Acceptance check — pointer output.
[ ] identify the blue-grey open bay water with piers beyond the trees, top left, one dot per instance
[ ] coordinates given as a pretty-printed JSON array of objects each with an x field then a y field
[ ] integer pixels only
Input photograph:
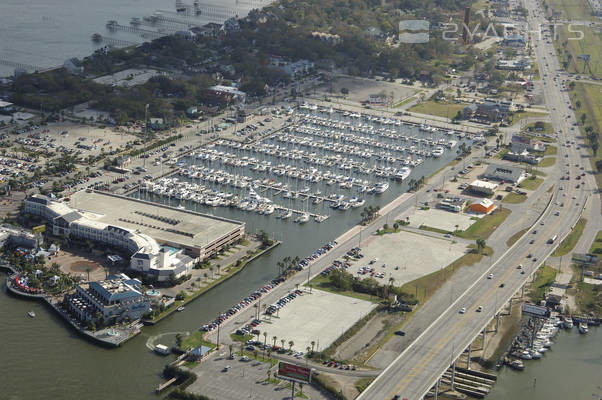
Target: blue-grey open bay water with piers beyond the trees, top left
[{"x": 45, "y": 33}]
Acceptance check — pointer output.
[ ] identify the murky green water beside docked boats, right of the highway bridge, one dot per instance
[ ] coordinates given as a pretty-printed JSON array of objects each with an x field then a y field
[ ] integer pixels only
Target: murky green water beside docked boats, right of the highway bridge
[{"x": 572, "y": 369}]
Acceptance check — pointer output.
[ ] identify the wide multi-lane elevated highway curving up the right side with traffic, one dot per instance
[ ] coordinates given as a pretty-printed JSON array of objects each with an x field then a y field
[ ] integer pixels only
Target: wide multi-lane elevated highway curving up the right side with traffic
[{"x": 419, "y": 366}]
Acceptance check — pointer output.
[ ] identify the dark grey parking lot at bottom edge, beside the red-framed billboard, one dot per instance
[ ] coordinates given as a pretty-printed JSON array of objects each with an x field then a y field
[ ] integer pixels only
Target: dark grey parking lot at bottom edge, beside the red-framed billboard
[{"x": 243, "y": 380}]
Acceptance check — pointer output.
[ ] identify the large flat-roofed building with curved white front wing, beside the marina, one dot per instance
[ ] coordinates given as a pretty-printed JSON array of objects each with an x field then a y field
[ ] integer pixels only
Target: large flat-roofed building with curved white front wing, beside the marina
[{"x": 162, "y": 241}]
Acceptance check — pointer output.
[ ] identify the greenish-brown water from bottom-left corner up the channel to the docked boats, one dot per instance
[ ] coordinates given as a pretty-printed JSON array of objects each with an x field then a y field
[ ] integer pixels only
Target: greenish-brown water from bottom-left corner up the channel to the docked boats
[{"x": 43, "y": 358}]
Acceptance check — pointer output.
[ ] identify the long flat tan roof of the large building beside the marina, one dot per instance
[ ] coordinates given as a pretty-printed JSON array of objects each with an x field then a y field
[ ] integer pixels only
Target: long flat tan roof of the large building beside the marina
[{"x": 162, "y": 223}]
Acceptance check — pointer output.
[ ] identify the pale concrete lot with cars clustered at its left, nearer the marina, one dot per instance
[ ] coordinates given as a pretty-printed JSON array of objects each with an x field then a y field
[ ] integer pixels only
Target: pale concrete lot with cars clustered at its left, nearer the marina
[{"x": 416, "y": 255}]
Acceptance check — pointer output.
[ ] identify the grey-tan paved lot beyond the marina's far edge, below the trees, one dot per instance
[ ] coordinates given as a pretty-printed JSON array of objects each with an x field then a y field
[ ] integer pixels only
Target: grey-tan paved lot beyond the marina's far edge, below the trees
[{"x": 361, "y": 89}]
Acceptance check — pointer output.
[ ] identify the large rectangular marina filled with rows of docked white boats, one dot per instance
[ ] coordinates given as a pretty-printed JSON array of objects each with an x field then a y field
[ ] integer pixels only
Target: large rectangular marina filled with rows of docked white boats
[{"x": 323, "y": 164}]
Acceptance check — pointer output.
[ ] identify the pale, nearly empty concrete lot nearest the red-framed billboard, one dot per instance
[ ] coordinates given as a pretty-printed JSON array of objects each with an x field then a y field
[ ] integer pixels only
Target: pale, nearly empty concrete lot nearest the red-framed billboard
[{"x": 320, "y": 316}]
